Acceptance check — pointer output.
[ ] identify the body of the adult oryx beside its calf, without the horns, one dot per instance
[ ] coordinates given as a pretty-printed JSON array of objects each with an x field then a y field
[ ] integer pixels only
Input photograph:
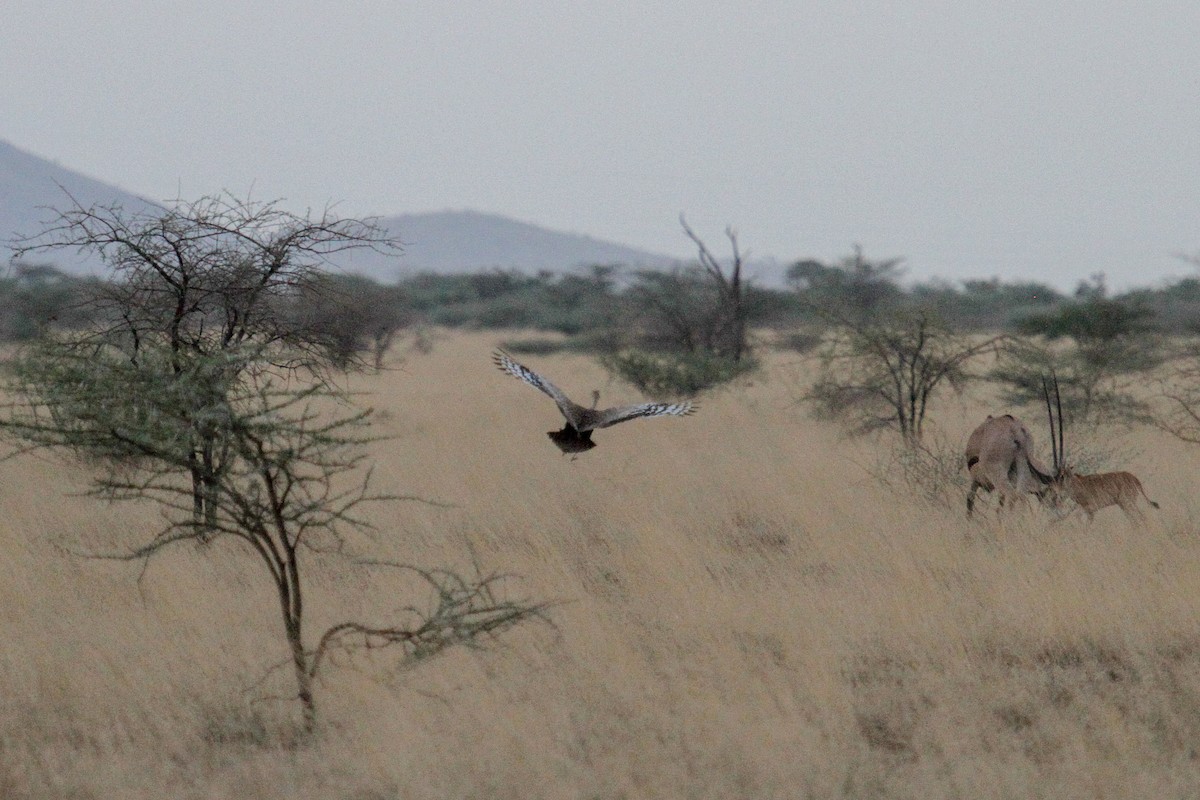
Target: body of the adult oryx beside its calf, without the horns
[{"x": 999, "y": 458}]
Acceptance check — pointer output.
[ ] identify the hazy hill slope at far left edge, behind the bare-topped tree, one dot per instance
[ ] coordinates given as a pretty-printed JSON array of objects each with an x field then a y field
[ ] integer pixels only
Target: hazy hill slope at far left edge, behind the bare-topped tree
[{"x": 31, "y": 188}]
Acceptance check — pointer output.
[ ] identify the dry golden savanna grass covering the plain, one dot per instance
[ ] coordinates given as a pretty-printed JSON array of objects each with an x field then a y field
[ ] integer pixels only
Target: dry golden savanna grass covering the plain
[{"x": 741, "y": 611}]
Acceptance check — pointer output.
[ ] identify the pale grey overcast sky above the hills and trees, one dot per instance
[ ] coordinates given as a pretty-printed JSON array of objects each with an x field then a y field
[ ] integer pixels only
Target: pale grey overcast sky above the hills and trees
[{"x": 1024, "y": 140}]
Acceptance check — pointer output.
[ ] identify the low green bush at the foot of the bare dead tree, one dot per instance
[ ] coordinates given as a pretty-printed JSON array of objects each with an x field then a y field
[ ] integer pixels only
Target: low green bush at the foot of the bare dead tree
[{"x": 669, "y": 377}]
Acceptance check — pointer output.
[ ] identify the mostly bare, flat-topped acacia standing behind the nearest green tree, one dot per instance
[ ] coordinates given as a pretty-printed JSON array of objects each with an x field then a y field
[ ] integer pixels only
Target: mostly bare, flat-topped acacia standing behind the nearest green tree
[{"x": 205, "y": 278}]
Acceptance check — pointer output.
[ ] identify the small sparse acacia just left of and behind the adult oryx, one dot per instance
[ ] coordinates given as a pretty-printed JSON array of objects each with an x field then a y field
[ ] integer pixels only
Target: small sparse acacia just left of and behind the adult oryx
[{"x": 883, "y": 375}]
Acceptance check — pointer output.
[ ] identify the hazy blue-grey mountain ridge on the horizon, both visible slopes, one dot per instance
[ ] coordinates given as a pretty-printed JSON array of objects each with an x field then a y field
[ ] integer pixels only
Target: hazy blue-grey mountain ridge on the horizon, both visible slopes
[{"x": 443, "y": 242}]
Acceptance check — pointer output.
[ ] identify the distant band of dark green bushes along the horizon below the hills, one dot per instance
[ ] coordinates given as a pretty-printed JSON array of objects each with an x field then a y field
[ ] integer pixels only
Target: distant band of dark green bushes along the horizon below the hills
[{"x": 603, "y": 309}]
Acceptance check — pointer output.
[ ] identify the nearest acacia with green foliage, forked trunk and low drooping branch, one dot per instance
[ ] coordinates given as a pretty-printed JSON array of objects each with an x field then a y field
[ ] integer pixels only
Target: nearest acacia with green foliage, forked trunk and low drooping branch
[{"x": 291, "y": 478}]
